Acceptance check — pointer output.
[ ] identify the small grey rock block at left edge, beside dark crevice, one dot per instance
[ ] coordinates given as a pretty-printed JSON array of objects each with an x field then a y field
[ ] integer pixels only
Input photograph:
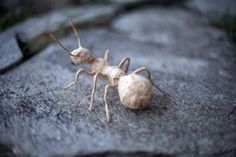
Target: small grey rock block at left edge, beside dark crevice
[{"x": 10, "y": 53}]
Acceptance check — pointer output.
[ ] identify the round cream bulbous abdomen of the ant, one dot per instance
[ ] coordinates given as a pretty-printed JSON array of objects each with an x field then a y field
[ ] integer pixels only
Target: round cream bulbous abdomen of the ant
[{"x": 135, "y": 91}]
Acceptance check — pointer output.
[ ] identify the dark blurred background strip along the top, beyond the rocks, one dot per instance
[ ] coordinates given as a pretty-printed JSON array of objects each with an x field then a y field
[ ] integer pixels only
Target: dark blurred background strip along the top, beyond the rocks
[{"x": 222, "y": 13}]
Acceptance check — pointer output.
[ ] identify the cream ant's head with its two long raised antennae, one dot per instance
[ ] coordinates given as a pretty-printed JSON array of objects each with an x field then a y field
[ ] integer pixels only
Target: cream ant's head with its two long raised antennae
[{"x": 79, "y": 55}]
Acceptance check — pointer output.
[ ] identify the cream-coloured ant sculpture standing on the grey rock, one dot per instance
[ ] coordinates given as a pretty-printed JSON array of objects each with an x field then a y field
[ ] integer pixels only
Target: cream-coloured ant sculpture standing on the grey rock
[{"x": 134, "y": 90}]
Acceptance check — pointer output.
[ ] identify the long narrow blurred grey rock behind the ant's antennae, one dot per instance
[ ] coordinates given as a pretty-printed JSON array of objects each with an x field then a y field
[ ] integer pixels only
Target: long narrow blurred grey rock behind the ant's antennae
[{"x": 34, "y": 31}]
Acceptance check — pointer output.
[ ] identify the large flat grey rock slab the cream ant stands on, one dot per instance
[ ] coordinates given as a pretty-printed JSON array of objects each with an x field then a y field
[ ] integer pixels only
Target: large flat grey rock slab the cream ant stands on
[{"x": 191, "y": 61}]
